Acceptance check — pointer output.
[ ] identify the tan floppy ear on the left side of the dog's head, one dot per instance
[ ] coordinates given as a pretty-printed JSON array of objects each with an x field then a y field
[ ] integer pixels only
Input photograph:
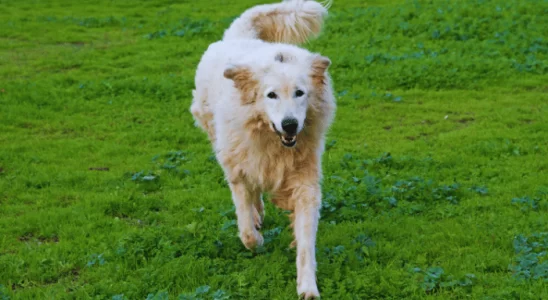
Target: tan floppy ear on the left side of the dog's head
[{"x": 244, "y": 80}]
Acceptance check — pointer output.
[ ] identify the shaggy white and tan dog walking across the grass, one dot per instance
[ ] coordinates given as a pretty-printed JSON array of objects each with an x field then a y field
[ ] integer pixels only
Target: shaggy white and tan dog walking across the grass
[{"x": 266, "y": 105}]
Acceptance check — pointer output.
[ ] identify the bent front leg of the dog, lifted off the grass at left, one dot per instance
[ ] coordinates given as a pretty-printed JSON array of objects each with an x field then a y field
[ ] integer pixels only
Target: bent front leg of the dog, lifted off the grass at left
[{"x": 244, "y": 199}]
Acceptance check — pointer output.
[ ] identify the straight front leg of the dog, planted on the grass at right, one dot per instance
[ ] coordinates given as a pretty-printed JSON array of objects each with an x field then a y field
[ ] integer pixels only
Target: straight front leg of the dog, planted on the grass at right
[{"x": 307, "y": 213}]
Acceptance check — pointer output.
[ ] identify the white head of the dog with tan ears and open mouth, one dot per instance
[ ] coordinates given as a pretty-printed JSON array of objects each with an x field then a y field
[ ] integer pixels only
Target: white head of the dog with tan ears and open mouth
[{"x": 284, "y": 88}]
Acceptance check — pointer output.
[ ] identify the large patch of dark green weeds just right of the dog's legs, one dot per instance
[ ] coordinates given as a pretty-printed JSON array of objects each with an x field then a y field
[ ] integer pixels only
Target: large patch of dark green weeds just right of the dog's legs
[{"x": 355, "y": 191}]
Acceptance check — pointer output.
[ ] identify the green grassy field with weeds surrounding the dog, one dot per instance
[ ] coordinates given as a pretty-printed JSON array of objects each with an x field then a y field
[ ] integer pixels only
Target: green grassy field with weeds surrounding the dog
[{"x": 436, "y": 183}]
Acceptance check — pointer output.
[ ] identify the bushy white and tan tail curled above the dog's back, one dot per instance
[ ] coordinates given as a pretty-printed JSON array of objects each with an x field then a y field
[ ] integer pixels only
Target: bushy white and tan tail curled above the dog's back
[{"x": 291, "y": 22}]
